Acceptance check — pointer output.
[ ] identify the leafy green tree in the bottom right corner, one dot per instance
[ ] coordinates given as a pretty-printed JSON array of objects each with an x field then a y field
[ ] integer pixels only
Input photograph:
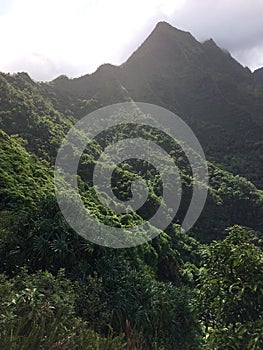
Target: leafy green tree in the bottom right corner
[{"x": 231, "y": 291}]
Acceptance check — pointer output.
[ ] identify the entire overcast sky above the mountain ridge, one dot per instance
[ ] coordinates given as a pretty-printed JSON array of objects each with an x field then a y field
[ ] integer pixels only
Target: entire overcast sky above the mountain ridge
[{"x": 48, "y": 38}]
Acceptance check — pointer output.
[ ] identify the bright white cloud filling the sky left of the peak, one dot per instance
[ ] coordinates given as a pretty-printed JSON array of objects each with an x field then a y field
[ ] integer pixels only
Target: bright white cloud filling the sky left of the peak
[{"x": 62, "y": 34}]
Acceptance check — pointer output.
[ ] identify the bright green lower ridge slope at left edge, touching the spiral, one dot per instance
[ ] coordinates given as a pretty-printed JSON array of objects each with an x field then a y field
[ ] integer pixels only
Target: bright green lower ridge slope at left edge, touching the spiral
[{"x": 24, "y": 180}]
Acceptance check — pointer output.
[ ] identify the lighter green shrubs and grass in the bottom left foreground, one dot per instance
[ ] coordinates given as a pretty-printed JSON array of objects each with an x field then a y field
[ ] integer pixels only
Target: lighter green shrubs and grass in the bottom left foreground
[{"x": 40, "y": 311}]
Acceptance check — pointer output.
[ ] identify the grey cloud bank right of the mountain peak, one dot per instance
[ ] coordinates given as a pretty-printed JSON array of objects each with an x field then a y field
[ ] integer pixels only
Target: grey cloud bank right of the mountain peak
[{"x": 235, "y": 25}]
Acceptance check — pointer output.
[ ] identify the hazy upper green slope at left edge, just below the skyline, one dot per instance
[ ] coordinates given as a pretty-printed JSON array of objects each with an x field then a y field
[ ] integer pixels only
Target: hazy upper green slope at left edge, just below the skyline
[{"x": 25, "y": 112}]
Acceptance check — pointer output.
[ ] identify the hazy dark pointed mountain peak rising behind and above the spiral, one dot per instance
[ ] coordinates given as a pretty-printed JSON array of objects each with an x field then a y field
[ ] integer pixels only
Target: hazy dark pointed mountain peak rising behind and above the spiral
[{"x": 216, "y": 96}]
